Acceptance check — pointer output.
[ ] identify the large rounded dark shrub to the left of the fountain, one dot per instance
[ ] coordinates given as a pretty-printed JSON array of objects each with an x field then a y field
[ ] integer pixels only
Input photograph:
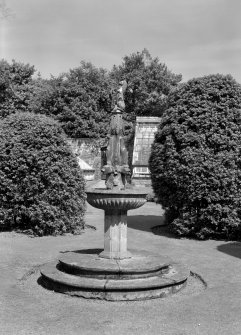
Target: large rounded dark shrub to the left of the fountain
[{"x": 41, "y": 185}]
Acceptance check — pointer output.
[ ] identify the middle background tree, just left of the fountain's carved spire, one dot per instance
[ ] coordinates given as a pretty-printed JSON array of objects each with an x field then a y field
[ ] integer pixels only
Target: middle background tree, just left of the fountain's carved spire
[{"x": 77, "y": 100}]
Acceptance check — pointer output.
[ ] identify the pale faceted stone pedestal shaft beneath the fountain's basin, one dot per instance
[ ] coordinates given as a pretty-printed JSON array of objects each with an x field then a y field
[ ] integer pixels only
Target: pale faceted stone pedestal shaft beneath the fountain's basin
[{"x": 115, "y": 238}]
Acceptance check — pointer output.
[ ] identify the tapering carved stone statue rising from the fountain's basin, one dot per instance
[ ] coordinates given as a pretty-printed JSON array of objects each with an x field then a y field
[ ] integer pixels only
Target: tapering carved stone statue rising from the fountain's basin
[{"x": 116, "y": 168}]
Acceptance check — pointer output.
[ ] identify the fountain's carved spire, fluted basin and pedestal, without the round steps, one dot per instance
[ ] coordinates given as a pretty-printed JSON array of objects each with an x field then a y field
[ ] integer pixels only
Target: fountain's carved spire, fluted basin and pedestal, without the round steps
[{"x": 117, "y": 198}]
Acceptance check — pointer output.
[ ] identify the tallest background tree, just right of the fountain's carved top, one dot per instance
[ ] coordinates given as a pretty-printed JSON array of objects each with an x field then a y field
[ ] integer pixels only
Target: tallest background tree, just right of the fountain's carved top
[{"x": 149, "y": 82}]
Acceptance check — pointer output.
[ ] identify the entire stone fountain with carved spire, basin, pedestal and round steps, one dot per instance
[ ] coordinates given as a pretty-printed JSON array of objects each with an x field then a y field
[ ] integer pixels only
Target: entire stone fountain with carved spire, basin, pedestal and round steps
[{"x": 115, "y": 273}]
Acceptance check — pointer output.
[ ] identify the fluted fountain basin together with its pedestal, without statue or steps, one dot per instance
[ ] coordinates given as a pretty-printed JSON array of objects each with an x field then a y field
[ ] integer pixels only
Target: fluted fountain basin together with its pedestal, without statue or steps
[{"x": 116, "y": 204}]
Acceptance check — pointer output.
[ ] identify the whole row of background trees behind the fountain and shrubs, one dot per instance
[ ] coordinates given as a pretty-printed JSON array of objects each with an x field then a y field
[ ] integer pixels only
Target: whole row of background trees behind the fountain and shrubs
[{"x": 81, "y": 99}]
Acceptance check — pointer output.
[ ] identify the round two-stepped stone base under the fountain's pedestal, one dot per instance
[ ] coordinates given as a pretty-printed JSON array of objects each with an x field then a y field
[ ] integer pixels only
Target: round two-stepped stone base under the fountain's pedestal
[{"x": 144, "y": 276}]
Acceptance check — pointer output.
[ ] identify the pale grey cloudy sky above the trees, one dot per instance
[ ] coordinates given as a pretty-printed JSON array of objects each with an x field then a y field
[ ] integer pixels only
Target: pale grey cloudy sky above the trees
[{"x": 192, "y": 37}]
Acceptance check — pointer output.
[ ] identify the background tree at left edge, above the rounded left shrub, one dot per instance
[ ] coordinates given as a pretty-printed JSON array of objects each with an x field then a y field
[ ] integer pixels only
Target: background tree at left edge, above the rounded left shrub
[{"x": 15, "y": 87}]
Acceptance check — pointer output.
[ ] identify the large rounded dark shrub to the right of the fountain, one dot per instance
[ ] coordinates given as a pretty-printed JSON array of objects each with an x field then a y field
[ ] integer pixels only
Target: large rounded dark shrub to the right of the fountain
[{"x": 196, "y": 159}]
